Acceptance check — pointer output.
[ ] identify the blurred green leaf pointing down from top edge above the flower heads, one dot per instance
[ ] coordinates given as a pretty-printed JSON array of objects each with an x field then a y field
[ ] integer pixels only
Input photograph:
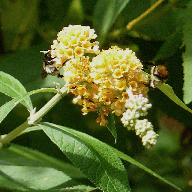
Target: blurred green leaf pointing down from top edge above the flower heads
[{"x": 105, "y": 14}]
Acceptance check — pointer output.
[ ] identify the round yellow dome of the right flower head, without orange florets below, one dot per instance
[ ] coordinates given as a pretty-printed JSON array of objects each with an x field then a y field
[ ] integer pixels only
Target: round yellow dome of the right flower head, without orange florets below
[{"x": 118, "y": 69}]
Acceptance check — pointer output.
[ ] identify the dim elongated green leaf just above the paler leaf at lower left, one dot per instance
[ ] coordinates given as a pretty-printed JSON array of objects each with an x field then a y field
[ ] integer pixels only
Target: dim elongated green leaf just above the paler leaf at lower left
[{"x": 23, "y": 156}]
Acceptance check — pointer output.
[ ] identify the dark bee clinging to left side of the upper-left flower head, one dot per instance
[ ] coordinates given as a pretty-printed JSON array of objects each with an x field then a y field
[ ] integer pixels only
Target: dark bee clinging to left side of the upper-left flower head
[{"x": 48, "y": 67}]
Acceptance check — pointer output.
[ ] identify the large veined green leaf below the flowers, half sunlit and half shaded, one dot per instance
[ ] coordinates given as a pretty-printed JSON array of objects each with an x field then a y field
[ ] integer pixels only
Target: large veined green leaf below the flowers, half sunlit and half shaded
[{"x": 91, "y": 156}]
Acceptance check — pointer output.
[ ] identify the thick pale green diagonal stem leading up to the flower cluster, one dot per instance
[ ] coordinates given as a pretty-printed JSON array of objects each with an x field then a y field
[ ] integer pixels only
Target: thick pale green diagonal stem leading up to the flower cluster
[{"x": 33, "y": 119}]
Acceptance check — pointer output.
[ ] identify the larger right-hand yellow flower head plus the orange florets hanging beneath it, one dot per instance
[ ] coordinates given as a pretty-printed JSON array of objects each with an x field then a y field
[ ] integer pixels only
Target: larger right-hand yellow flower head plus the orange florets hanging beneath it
[{"x": 114, "y": 70}]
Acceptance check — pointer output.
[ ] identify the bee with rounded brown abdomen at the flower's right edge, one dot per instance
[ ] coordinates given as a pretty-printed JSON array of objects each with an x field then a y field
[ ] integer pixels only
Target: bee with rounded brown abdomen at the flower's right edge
[{"x": 159, "y": 74}]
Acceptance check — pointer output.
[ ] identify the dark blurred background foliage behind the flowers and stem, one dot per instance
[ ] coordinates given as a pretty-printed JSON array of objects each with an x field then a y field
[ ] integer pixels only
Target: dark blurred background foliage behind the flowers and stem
[{"x": 163, "y": 36}]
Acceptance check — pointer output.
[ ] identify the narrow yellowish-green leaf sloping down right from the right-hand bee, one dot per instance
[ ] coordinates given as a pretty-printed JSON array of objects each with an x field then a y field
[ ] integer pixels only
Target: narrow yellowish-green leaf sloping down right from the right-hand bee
[{"x": 169, "y": 92}]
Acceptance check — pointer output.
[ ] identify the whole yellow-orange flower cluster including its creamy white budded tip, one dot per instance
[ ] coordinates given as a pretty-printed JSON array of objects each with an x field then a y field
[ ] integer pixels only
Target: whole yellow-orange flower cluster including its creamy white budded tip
[{"x": 107, "y": 81}]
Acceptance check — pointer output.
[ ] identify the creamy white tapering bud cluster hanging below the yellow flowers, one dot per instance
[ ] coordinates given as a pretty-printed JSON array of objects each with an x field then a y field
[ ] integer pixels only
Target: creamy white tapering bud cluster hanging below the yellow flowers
[{"x": 136, "y": 107}]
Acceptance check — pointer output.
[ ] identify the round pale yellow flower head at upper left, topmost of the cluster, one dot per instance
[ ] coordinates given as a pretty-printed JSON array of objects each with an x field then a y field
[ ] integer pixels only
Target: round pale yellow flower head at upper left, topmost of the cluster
[{"x": 72, "y": 42}]
